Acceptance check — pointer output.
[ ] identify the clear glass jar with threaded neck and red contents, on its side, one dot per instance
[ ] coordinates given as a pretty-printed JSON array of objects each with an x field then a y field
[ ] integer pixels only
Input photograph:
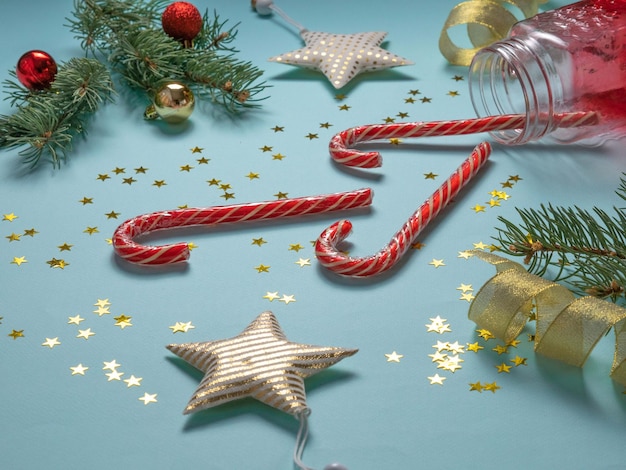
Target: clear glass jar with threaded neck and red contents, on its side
[{"x": 572, "y": 59}]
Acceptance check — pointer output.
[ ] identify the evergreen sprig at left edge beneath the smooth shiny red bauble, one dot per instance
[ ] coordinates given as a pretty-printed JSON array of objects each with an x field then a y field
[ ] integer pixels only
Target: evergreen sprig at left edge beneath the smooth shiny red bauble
[{"x": 47, "y": 122}]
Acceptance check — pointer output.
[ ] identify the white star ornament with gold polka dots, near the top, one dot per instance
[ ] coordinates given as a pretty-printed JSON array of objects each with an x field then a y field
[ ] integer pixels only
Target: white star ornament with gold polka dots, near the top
[{"x": 341, "y": 57}]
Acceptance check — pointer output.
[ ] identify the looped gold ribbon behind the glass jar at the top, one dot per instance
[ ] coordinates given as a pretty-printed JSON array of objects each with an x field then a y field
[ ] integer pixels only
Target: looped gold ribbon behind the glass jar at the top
[{"x": 487, "y": 21}]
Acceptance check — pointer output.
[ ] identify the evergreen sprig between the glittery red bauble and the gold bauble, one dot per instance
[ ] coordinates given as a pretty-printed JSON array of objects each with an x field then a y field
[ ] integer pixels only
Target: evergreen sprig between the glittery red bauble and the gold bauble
[{"x": 129, "y": 34}]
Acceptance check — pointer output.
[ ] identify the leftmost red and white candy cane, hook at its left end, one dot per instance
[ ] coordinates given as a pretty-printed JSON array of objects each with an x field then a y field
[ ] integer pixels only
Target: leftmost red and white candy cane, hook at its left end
[{"x": 125, "y": 246}]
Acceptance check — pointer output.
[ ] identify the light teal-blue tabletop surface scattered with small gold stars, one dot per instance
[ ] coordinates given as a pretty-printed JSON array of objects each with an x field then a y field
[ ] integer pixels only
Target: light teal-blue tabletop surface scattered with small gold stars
[{"x": 367, "y": 413}]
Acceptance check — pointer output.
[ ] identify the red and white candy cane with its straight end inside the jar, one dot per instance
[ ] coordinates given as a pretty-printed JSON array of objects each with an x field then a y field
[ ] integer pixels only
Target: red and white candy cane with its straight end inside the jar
[{"x": 339, "y": 144}]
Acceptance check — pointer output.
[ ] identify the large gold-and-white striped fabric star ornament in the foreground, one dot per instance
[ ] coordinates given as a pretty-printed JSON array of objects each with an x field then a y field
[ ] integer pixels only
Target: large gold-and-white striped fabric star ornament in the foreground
[{"x": 260, "y": 363}]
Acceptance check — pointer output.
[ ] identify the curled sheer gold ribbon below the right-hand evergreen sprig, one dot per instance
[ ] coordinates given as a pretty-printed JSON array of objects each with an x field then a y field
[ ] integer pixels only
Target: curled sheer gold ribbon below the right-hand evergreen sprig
[{"x": 567, "y": 328}]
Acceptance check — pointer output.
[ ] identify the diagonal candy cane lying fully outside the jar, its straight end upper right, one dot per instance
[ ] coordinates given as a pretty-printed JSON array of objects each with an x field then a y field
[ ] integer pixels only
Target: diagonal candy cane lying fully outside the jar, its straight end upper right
[{"x": 326, "y": 245}]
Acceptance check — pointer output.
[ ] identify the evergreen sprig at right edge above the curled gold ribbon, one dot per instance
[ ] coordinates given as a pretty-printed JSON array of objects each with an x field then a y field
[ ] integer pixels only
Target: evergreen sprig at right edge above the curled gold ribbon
[{"x": 584, "y": 249}]
